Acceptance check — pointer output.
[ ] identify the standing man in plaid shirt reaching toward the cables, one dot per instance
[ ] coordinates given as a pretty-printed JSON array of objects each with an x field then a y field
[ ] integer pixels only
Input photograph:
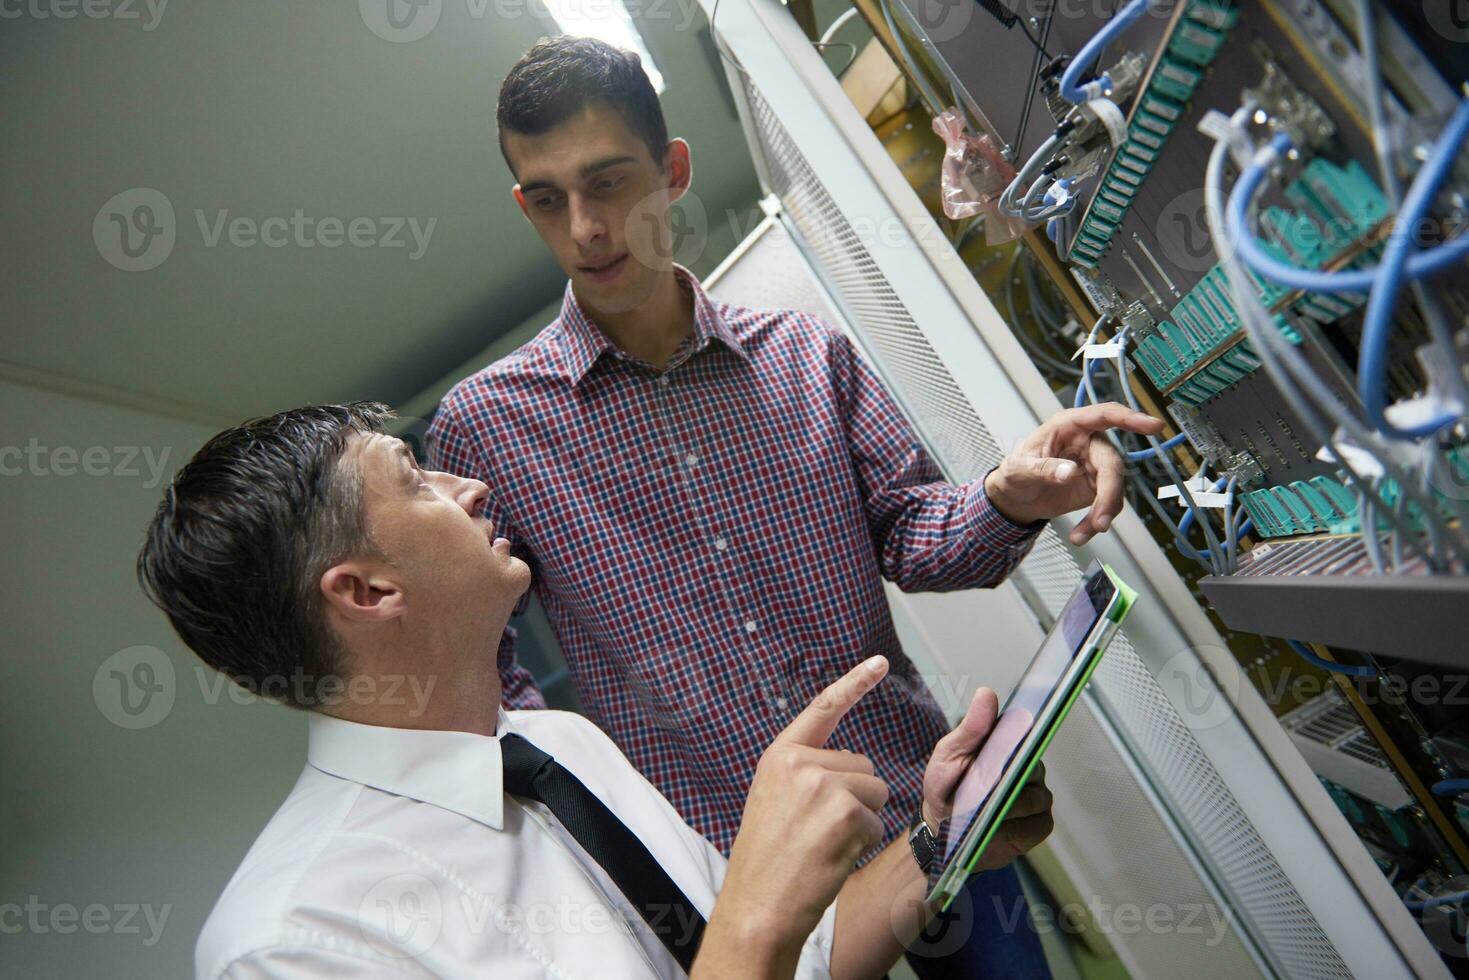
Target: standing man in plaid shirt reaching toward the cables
[{"x": 710, "y": 496}]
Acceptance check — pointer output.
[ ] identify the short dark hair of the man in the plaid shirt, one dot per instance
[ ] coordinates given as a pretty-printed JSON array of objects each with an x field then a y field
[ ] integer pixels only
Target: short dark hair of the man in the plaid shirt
[{"x": 562, "y": 76}]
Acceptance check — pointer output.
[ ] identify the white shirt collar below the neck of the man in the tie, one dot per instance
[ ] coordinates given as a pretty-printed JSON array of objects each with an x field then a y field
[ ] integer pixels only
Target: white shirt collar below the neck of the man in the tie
[{"x": 453, "y": 771}]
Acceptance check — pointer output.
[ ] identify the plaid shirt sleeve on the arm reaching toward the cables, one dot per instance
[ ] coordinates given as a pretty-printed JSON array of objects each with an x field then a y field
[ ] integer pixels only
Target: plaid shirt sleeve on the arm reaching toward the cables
[{"x": 931, "y": 536}]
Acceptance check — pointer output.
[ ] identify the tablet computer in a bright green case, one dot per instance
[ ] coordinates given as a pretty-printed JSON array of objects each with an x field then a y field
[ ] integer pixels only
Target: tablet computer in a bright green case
[{"x": 1028, "y": 721}]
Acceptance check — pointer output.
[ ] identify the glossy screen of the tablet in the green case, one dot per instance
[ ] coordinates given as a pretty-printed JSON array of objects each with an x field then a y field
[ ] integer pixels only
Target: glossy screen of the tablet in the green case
[{"x": 1025, "y": 706}]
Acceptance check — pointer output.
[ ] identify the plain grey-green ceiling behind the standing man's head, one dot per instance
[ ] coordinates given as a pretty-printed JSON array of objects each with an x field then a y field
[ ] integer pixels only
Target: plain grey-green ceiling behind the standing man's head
[{"x": 259, "y": 108}]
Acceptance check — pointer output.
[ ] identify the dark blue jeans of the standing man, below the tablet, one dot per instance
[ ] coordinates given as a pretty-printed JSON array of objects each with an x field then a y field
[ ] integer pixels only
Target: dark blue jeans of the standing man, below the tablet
[{"x": 986, "y": 935}]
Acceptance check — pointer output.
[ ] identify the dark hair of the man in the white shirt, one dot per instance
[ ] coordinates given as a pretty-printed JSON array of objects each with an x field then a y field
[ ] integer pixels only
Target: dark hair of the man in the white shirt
[{"x": 246, "y": 530}]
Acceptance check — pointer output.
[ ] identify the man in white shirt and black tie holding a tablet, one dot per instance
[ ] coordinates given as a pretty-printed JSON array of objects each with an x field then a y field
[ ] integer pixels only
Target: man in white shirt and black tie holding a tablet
[{"x": 438, "y": 835}]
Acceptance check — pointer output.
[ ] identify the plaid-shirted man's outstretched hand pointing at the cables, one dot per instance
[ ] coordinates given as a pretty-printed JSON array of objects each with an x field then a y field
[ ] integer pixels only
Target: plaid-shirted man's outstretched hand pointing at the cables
[{"x": 1066, "y": 465}]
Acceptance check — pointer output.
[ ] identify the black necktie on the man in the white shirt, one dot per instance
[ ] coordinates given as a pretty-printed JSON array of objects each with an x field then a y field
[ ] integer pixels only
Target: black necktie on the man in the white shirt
[{"x": 665, "y": 907}]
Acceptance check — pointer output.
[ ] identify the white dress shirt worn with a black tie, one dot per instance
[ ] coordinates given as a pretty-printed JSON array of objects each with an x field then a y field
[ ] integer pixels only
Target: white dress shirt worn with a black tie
[{"x": 400, "y": 854}]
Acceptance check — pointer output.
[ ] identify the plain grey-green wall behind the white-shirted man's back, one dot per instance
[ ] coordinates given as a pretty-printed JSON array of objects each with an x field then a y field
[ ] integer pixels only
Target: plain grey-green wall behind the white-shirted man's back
[{"x": 93, "y": 813}]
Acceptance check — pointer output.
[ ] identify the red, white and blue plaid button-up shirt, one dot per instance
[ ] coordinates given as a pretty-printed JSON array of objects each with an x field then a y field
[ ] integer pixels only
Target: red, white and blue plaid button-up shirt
[{"x": 710, "y": 541}]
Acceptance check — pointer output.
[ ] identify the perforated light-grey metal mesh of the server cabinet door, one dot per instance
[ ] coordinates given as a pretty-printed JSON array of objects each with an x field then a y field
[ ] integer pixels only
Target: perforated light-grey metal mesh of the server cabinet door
[{"x": 1197, "y": 803}]
